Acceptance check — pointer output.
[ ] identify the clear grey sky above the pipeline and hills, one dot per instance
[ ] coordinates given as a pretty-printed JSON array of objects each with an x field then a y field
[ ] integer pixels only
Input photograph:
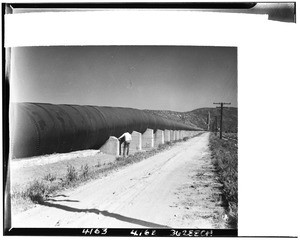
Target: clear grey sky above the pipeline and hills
[{"x": 173, "y": 78}]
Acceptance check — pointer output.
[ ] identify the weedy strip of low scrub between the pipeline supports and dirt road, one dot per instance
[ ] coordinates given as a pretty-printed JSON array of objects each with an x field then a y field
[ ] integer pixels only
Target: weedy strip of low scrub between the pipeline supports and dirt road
[{"x": 39, "y": 190}]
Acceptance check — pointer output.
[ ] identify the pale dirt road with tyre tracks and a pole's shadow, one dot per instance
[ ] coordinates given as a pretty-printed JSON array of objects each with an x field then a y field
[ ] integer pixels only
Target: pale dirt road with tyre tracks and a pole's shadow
[{"x": 176, "y": 188}]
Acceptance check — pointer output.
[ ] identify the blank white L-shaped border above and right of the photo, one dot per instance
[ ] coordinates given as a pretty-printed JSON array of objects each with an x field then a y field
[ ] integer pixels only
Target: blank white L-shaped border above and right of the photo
[{"x": 268, "y": 87}]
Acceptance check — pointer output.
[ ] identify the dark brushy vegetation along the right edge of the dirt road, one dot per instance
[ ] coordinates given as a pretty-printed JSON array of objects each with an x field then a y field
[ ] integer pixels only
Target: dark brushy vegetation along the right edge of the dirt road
[{"x": 225, "y": 159}]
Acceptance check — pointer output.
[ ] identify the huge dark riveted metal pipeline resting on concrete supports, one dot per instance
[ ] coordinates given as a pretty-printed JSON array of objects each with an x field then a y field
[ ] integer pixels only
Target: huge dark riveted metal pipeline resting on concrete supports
[{"x": 42, "y": 128}]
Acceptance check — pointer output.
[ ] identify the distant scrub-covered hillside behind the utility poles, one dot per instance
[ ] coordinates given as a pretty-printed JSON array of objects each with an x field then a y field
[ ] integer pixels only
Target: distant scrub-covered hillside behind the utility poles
[{"x": 199, "y": 117}]
